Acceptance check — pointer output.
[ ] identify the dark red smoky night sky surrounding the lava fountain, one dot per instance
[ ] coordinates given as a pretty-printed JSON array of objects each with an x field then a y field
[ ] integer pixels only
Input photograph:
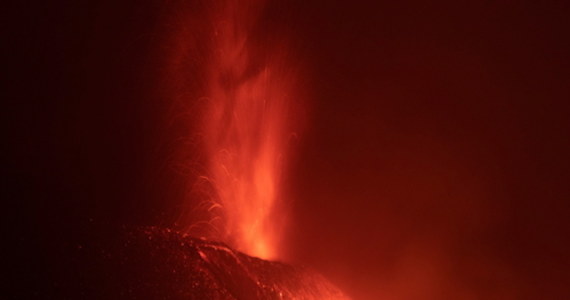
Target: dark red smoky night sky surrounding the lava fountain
[{"x": 434, "y": 164}]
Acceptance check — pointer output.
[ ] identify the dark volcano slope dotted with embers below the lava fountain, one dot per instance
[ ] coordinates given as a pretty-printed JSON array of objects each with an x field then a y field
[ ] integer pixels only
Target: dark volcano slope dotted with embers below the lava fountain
[{"x": 166, "y": 264}]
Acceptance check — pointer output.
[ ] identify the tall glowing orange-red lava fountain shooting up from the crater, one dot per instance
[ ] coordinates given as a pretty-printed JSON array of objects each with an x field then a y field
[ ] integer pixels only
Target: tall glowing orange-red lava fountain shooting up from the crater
[{"x": 247, "y": 126}]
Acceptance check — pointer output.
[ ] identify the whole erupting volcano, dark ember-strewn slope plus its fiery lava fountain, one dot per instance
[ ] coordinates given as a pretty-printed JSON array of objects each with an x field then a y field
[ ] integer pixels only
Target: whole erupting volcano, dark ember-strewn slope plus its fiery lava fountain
[{"x": 248, "y": 114}]
